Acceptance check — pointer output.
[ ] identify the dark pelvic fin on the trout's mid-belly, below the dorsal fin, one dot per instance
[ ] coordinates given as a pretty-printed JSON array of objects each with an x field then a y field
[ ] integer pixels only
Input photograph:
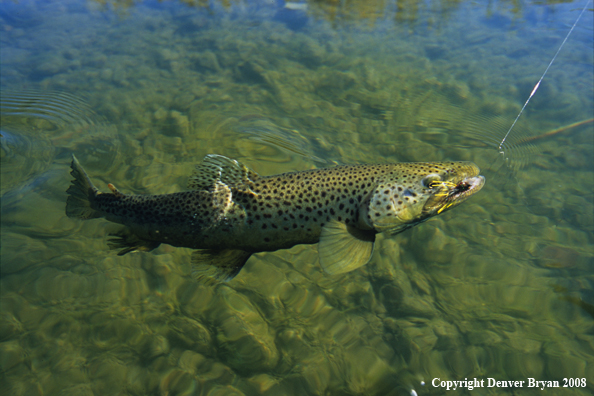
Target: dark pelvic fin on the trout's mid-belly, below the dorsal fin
[{"x": 221, "y": 265}]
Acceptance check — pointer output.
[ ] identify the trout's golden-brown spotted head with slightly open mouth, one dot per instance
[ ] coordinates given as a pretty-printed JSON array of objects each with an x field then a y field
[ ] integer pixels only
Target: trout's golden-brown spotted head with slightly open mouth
[{"x": 410, "y": 193}]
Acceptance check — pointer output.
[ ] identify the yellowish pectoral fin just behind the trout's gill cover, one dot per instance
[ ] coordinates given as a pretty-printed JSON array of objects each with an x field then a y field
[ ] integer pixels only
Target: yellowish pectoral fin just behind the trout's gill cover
[{"x": 343, "y": 248}]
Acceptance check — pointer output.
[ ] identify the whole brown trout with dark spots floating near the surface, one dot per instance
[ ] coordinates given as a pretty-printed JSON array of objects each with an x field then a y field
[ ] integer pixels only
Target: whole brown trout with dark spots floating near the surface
[{"x": 231, "y": 212}]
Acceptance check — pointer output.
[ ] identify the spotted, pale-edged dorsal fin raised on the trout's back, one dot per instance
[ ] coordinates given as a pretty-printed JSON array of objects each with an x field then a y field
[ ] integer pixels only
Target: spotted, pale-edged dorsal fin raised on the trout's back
[{"x": 219, "y": 168}]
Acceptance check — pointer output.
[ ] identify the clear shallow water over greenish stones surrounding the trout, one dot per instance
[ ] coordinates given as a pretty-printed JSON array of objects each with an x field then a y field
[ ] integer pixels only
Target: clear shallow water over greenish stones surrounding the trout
[{"x": 500, "y": 287}]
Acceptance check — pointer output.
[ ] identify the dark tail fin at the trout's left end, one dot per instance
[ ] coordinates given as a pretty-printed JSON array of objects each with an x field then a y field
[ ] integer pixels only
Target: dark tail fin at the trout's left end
[{"x": 81, "y": 194}]
